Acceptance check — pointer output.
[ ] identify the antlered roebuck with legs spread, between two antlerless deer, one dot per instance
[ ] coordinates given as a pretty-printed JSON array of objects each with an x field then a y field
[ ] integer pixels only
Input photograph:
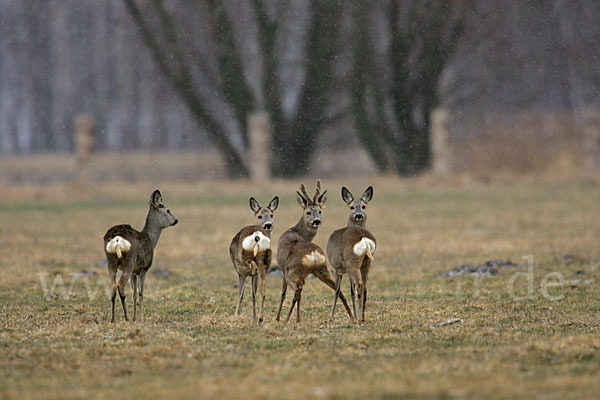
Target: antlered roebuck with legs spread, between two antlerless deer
[{"x": 298, "y": 257}]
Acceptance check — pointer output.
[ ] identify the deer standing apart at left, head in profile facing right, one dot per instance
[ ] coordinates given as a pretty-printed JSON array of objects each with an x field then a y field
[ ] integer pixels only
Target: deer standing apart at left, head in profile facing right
[{"x": 132, "y": 251}]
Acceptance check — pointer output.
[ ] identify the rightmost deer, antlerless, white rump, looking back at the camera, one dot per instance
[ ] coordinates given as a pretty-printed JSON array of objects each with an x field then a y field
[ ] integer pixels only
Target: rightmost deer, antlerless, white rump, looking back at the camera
[{"x": 350, "y": 250}]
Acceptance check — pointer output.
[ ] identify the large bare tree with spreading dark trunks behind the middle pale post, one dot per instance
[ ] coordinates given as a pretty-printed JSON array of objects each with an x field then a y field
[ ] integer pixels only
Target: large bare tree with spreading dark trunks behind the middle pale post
[{"x": 234, "y": 66}]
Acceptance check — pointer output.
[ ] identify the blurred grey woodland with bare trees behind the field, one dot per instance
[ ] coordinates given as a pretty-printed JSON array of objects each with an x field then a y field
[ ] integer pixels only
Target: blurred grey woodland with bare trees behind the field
[{"x": 183, "y": 74}]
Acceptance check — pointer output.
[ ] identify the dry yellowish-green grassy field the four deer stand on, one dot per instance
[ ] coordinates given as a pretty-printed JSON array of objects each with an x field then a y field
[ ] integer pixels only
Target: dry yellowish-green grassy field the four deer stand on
[{"x": 59, "y": 344}]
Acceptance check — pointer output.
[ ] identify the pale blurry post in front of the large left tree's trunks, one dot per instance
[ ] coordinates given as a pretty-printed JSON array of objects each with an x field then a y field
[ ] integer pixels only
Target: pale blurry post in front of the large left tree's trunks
[{"x": 259, "y": 134}]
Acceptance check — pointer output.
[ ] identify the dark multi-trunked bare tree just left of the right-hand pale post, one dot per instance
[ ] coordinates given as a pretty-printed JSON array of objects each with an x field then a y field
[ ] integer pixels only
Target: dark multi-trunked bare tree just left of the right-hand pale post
[{"x": 394, "y": 87}]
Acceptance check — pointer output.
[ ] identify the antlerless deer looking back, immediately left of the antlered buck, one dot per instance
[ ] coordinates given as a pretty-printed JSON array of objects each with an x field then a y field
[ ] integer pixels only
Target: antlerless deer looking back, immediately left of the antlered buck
[{"x": 250, "y": 252}]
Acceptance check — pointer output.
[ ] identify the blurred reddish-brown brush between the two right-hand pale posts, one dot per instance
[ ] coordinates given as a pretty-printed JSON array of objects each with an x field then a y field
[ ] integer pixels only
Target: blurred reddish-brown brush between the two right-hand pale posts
[{"x": 528, "y": 142}]
